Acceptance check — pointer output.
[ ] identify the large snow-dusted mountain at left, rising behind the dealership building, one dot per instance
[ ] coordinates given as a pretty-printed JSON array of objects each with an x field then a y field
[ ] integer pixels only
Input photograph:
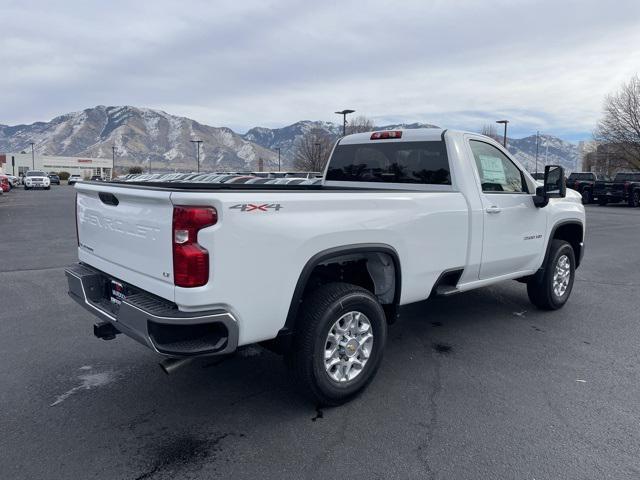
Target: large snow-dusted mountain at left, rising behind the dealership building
[{"x": 140, "y": 135}]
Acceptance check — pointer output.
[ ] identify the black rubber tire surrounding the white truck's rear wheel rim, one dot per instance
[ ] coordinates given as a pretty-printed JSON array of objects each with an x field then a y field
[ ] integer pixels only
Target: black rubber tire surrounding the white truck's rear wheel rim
[{"x": 320, "y": 311}]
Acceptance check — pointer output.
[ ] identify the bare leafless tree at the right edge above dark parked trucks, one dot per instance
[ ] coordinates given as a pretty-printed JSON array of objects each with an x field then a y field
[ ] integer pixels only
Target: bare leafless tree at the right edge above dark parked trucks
[{"x": 620, "y": 125}]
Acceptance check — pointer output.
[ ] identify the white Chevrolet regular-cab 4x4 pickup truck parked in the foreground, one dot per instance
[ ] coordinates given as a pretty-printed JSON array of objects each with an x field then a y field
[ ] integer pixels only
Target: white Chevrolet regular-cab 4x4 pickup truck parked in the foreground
[{"x": 317, "y": 272}]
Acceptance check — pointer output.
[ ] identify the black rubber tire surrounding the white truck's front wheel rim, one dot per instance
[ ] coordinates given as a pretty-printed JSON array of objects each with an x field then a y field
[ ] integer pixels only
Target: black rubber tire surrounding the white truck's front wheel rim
[{"x": 540, "y": 290}]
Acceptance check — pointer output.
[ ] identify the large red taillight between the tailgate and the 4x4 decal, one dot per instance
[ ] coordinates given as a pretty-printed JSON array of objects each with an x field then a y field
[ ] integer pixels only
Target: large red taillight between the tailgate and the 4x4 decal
[{"x": 190, "y": 260}]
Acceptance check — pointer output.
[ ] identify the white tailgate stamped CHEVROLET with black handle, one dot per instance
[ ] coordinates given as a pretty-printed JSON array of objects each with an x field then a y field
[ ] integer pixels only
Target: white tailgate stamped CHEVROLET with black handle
[{"x": 126, "y": 232}]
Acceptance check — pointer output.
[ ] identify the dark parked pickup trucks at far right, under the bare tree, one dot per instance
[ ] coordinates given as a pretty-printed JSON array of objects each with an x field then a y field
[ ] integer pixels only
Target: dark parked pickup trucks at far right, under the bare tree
[{"x": 625, "y": 187}]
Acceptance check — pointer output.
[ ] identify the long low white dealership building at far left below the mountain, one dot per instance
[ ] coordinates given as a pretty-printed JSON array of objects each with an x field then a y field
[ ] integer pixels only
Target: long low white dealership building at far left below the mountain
[{"x": 19, "y": 163}]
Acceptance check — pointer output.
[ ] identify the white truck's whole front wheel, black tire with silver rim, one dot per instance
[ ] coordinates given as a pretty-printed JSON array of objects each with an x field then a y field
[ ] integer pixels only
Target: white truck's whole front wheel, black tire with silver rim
[{"x": 552, "y": 290}]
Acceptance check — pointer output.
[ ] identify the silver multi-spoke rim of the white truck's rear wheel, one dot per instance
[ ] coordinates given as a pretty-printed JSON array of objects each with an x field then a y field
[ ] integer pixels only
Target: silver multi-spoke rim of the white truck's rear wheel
[{"x": 348, "y": 346}]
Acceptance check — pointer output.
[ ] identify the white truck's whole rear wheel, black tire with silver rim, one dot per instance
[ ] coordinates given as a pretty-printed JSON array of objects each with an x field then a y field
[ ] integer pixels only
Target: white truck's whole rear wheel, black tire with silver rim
[{"x": 338, "y": 343}]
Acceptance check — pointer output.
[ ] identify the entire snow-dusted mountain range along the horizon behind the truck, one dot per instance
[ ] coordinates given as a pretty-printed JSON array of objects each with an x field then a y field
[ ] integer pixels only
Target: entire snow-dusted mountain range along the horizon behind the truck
[{"x": 156, "y": 139}]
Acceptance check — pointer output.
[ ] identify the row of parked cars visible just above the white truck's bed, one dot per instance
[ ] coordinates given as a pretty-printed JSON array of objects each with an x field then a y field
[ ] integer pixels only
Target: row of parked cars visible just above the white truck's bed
[{"x": 279, "y": 178}]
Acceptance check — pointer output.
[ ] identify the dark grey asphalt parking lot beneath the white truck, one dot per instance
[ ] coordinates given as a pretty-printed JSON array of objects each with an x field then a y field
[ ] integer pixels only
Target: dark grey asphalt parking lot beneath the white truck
[{"x": 475, "y": 386}]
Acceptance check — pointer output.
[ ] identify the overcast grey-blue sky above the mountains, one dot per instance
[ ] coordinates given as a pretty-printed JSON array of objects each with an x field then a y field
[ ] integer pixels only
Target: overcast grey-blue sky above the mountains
[{"x": 460, "y": 64}]
